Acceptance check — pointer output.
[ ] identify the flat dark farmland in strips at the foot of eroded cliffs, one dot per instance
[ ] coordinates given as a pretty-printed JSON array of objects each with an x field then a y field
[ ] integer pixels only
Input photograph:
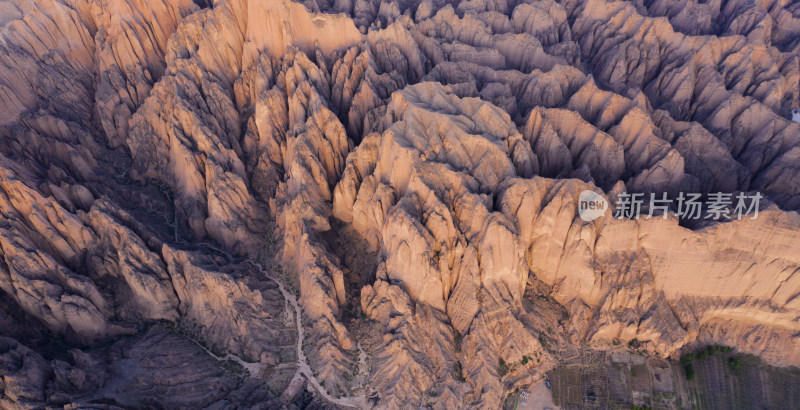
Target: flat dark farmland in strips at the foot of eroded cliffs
[{"x": 620, "y": 380}]
